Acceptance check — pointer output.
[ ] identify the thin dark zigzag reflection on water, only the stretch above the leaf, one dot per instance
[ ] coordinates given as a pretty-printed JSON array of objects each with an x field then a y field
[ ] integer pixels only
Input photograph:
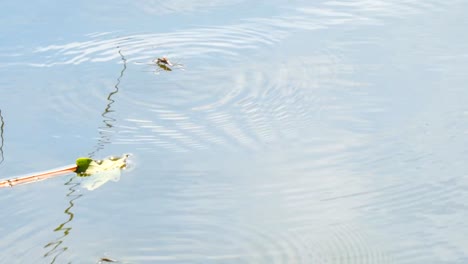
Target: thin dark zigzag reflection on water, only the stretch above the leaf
[{"x": 104, "y": 135}]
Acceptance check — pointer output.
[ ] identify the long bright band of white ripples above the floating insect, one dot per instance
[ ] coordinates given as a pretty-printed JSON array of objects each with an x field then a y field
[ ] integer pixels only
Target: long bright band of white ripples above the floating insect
[{"x": 229, "y": 41}]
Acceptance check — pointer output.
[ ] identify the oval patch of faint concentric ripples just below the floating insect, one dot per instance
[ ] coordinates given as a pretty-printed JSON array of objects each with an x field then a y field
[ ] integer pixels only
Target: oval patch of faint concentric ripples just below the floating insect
[{"x": 246, "y": 111}]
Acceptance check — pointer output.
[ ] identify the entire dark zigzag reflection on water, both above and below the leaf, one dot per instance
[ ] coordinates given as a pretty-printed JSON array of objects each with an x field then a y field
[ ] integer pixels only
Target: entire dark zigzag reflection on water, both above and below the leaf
[{"x": 56, "y": 247}]
